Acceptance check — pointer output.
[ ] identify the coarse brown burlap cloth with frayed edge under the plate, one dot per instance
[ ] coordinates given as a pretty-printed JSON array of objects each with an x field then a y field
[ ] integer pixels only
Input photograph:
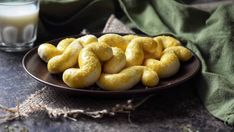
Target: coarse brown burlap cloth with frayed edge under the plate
[{"x": 58, "y": 104}]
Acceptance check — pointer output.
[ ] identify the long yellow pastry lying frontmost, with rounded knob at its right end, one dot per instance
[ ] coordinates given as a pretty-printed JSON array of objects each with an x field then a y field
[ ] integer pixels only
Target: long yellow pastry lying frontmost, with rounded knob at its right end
[{"x": 127, "y": 78}]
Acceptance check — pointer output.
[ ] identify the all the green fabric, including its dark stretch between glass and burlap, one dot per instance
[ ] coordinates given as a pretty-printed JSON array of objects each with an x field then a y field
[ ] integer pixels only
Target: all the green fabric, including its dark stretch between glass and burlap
[{"x": 209, "y": 34}]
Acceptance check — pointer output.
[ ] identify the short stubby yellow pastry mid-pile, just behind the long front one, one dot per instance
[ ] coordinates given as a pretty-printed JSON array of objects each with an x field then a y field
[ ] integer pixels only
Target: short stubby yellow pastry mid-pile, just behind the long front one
[{"x": 116, "y": 63}]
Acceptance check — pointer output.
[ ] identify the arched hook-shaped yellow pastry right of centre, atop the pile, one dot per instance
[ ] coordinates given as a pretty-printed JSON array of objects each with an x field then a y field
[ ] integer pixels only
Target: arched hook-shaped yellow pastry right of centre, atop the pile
[{"x": 138, "y": 47}]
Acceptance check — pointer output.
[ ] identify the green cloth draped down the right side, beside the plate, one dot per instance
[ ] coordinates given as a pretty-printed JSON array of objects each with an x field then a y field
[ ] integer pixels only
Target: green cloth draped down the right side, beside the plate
[{"x": 209, "y": 34}]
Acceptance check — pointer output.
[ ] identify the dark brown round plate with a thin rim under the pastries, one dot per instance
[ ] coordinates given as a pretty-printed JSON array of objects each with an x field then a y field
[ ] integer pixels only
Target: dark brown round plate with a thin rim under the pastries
[{"x": 37, "y": 69}]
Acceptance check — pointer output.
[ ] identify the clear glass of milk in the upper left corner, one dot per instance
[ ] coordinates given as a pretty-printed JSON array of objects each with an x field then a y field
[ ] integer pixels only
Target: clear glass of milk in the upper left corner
[{"x": 18, "y": 24}]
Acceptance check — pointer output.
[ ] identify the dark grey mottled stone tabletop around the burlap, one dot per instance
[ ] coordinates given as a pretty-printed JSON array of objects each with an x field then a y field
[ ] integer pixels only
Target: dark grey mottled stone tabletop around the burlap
[{"x": 174, "y": 110}]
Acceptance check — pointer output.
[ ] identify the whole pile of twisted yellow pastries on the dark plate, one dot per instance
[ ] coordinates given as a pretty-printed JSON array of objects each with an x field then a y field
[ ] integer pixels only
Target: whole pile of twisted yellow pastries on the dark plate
[{"x": 114, "y": 62}]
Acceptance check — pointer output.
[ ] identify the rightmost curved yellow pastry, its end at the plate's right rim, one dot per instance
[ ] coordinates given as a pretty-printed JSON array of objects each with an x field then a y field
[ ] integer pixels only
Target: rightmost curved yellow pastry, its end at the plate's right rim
[{"x": 182, "y": 53}]
